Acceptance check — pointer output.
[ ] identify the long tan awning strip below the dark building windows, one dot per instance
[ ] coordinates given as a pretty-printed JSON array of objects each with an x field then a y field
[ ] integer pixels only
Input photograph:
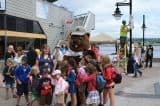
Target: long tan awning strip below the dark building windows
[{"x": 22, "y": 34}]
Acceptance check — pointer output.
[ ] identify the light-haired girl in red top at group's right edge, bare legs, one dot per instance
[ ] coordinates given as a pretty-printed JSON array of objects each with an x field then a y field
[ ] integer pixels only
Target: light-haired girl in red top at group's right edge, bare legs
[{"x": 107, "y": 73}]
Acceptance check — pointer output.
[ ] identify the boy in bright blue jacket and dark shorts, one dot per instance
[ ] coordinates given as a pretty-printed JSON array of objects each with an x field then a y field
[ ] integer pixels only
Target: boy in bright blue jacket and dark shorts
[{"x": 22, "y": 76}]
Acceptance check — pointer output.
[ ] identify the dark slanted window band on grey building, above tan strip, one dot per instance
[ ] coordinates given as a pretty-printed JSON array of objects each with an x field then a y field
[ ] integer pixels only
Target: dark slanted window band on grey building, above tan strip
[{"x": 20, "y": 24}]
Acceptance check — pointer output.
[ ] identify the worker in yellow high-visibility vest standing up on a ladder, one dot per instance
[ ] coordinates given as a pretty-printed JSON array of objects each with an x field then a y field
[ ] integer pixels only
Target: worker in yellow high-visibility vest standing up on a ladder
[{"x": 123, "y": 33}]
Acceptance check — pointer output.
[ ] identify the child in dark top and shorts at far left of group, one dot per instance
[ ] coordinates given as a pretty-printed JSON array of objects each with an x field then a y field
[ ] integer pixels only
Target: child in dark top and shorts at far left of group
[{"x": 9, "y": 78}]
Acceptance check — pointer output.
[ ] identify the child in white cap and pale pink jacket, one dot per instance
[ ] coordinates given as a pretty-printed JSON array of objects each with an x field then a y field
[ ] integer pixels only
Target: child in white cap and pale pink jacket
[{"x": 61, "y": 87}]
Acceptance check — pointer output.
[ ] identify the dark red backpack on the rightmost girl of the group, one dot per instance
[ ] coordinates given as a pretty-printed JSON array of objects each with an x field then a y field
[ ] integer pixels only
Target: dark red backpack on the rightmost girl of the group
[{"x": 117, "y": 76}]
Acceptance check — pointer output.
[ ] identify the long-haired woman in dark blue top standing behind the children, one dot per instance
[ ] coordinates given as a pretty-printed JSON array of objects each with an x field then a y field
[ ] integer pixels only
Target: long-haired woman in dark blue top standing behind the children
[{"x": 46, "y": 59}]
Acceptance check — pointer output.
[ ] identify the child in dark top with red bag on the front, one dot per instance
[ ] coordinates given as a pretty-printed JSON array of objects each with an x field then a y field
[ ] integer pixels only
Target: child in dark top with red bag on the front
[{"x": 45, "y": 88}]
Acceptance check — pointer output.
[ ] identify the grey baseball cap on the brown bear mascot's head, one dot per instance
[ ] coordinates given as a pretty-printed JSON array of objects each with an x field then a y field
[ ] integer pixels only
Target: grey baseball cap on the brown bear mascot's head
[{"x": 79, "y": 30}]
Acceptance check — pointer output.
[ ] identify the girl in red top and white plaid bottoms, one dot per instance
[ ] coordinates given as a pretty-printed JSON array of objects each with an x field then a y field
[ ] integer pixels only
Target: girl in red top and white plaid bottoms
[{"x": 93, "y": 98}]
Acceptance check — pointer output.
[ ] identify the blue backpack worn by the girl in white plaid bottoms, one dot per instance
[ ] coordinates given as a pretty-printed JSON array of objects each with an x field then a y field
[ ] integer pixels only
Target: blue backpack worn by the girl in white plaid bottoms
[{"x": 100, "y": 82}]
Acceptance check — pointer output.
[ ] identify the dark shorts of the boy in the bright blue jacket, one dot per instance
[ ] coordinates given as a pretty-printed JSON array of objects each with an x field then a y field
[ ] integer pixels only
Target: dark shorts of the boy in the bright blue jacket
[{"x": 22, "y": 88}]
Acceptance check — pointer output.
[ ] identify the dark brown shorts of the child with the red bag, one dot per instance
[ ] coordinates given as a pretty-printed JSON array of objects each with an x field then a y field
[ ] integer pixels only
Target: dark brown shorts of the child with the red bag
[{"x": 46, "y": 99}]
